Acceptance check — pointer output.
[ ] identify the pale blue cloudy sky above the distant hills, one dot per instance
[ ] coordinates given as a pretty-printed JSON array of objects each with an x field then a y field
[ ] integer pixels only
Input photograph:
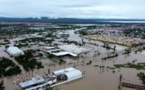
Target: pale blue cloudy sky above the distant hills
[{"x": 131, "y": 9}]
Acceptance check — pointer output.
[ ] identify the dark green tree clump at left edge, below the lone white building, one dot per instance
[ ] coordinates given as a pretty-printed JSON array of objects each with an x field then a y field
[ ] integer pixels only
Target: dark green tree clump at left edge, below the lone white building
[{"x": 8, "y": 68}]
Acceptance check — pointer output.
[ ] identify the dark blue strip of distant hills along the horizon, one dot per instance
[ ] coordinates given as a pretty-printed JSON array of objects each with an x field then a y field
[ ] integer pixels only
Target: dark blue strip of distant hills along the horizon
[{"x": 62, "y": 20}]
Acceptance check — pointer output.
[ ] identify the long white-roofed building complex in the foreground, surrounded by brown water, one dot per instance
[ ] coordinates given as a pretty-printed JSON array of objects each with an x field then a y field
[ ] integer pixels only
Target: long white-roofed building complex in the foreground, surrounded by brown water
[{"x": 59, "y": 77}]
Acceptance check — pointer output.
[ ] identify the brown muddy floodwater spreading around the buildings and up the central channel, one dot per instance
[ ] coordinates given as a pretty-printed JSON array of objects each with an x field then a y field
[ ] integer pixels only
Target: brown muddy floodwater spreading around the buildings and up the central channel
[{"x": 95, "y": 78}]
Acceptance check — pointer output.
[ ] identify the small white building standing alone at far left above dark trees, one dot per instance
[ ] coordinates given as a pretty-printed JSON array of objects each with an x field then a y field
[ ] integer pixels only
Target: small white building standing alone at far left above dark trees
[{"x": 14, "y": 51}]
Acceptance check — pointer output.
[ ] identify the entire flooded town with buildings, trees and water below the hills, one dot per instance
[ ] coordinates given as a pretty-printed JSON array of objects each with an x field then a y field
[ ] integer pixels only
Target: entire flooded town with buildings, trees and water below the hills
[{"x": 72, "y": 56}]
